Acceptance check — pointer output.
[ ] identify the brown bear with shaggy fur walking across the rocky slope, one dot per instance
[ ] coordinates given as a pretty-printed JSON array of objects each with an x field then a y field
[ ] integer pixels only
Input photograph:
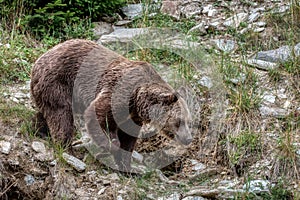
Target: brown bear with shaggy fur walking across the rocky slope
[{"x": 115, "y": 95}]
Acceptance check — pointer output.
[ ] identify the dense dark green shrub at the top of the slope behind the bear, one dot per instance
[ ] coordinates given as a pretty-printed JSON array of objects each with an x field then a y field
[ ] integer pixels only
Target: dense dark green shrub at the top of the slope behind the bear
[{"x": 55, "y": 17}]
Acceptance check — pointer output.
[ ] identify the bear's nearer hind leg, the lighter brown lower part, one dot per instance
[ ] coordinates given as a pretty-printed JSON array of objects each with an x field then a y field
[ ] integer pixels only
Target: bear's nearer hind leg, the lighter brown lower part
[{"x": 61, "y": 124}]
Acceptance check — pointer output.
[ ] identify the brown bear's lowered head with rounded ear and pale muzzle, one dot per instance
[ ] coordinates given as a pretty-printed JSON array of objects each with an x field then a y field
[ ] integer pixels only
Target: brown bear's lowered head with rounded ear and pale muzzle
[{"x": 162, "y": 106}]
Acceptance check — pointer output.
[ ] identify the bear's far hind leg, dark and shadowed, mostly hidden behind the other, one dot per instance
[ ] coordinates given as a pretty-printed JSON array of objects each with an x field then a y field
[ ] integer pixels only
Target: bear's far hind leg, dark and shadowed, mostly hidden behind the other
[{"x": 39, "y": 125}]
